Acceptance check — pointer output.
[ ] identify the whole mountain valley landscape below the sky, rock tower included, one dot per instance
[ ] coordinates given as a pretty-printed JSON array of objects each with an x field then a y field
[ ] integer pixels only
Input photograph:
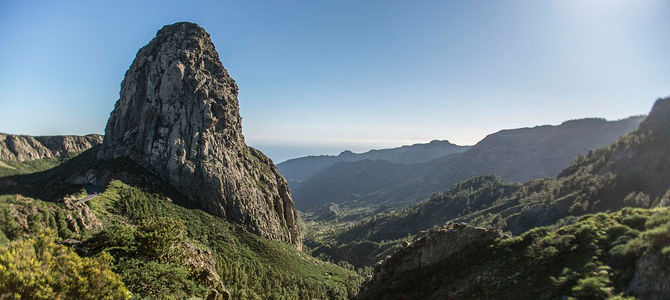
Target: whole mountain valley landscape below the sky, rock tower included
[{"x": 171, "y": 203}]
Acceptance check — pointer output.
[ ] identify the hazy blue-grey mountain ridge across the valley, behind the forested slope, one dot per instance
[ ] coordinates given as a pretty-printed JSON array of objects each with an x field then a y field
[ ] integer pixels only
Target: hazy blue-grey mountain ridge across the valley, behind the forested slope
[{"x": 515, "y": 155}]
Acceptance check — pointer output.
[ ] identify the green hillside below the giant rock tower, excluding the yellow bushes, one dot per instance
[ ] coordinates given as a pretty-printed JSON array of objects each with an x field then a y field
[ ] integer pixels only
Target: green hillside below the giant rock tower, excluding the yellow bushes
[{"x": 161, "y": 249}]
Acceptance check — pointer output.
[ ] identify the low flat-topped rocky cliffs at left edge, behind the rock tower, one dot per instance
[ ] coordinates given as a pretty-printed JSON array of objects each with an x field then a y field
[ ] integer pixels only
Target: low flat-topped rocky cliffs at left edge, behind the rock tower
[{"x": 25, "y": 147}]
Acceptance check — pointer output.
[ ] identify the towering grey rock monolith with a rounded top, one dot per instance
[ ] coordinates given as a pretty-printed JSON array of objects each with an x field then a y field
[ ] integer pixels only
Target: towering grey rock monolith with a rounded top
[{"x": 178, "y": 117}]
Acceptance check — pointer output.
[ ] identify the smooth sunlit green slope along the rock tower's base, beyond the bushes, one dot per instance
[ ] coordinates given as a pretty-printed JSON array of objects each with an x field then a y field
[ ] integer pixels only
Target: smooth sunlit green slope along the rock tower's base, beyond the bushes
[{"x": 250, "y": 266}]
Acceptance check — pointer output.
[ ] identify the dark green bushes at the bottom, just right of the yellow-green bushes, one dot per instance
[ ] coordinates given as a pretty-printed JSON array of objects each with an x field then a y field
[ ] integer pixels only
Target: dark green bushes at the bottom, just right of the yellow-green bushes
[{"x": 151, "y": 258}]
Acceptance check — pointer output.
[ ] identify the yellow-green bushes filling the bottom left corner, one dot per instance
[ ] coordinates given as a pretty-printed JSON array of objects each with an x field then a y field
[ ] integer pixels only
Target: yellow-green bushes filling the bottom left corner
[{"x": 37, "y": 268}]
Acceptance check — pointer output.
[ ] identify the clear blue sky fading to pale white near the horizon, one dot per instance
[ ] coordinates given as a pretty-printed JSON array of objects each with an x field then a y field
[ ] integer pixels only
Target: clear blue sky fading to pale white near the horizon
[{"x": 319, "y": 77}]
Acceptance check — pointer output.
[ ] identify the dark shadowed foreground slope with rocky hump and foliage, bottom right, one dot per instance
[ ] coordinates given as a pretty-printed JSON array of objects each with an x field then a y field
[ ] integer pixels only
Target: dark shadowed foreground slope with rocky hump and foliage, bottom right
[{"x": 602, "y": 256}]
